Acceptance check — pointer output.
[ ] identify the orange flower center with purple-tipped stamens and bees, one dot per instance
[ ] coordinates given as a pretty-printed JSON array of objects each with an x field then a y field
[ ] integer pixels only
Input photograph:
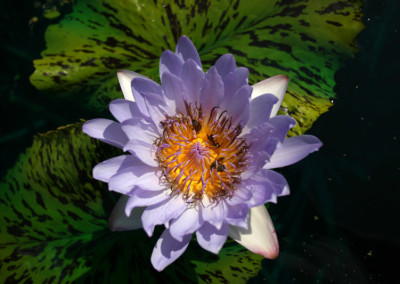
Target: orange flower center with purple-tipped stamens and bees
[{"x": 201, "y": 155}]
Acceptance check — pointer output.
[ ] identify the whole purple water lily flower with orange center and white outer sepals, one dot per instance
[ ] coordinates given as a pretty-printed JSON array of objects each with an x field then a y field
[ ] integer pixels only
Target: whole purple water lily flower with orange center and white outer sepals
[{"x": 201, "y": 147}]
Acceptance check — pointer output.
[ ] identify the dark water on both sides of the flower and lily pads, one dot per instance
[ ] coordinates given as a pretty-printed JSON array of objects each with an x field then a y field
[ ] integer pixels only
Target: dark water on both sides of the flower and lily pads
[{"x": 344, "y": 207}]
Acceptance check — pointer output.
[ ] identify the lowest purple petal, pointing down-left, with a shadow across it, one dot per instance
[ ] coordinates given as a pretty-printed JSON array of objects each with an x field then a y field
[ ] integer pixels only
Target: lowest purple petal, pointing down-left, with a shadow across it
[{"x": 168, "y": 249}]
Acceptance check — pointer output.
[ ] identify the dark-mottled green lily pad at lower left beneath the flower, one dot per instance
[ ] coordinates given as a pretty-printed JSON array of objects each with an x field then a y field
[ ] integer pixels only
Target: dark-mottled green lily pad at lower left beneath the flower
[{"x": 53, "y": 225}]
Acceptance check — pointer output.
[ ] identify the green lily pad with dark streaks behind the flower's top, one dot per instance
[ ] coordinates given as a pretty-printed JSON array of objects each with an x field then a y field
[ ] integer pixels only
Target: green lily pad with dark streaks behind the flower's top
[{"x": 308, "y": 40}]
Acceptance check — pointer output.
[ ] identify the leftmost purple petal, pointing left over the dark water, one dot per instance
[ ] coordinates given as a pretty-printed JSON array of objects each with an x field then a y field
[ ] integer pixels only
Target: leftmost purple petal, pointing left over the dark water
[{"x": 105, "y": 130}]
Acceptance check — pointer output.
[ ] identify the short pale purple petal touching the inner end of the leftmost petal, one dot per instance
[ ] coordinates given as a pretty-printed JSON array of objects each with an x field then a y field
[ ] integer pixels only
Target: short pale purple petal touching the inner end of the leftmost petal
[{"x": 139, "y": 129}]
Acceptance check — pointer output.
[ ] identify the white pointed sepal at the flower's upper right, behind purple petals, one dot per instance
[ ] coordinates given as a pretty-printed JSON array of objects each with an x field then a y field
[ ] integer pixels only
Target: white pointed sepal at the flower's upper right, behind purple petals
[{"x": 276, "y": 86}]
